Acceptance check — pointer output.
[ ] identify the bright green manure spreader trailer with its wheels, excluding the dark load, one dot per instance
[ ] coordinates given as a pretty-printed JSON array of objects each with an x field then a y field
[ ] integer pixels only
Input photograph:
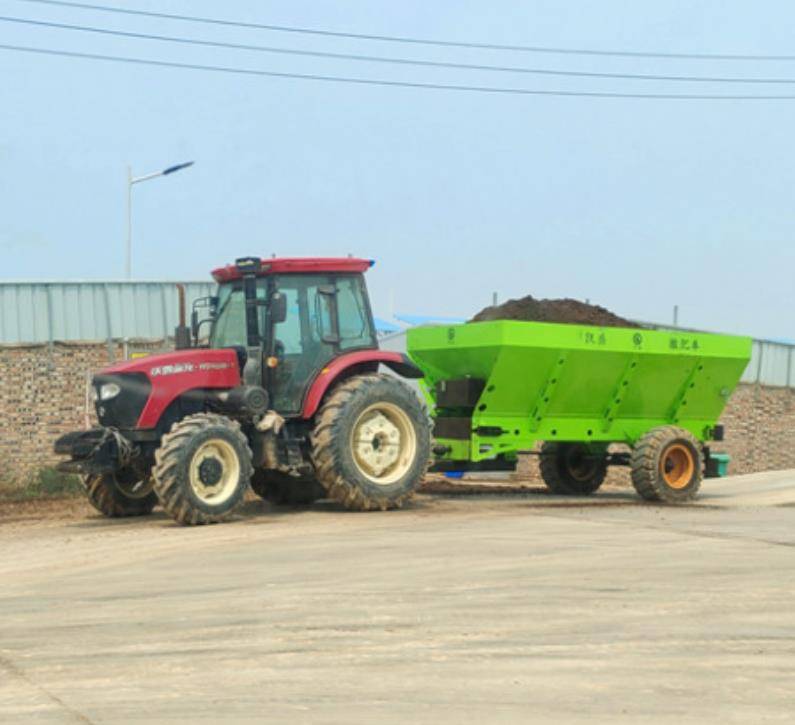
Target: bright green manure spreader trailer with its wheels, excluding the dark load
[{"x": 499, "y": 388}]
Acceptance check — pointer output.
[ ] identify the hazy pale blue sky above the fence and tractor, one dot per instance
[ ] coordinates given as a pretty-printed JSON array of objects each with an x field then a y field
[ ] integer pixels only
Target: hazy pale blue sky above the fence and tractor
[{"x": 635, "y": 204}]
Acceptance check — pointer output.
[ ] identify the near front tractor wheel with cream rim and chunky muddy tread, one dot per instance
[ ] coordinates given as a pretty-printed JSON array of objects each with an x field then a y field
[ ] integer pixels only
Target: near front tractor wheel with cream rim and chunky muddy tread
[{"x": 202, "y": 468}]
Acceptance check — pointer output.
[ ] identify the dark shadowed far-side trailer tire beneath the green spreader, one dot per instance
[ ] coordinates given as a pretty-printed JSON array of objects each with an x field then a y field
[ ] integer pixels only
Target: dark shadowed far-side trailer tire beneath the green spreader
[{"x": 572, "y": 469}]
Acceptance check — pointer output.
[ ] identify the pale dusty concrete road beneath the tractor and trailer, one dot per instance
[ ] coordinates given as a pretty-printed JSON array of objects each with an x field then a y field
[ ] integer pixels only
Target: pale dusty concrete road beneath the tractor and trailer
[{"x": 457, "y": 609}]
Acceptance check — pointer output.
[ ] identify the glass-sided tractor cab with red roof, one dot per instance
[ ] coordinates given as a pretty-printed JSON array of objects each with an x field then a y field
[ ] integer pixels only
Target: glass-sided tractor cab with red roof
[{"x": 289, "y": 318}]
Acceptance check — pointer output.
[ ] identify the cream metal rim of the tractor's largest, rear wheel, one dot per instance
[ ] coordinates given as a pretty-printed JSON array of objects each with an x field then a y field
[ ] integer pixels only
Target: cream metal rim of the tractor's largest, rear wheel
[{"x": 383, "y": 443}]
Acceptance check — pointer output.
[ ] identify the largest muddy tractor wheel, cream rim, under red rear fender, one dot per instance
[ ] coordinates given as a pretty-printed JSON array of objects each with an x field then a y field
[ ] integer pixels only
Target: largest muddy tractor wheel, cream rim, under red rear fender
[{"x": 371, "y": 442}]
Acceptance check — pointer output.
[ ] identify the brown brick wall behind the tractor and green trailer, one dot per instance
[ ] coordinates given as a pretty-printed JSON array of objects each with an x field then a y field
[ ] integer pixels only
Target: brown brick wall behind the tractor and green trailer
[{"x": 42, "y": 395}]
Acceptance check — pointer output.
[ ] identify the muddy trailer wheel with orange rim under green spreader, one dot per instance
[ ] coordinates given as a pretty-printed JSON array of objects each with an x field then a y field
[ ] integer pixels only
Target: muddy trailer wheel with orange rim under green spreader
[{"x": 667, "y": 465}]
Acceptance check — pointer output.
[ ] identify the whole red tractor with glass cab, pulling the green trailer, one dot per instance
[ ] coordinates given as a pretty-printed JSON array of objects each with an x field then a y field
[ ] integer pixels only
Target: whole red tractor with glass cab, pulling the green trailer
[{"x": 281, "y": 391}]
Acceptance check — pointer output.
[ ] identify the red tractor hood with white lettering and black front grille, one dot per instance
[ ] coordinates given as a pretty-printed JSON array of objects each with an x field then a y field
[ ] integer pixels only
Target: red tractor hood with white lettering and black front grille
[{"x": 158, "y": 380}]
